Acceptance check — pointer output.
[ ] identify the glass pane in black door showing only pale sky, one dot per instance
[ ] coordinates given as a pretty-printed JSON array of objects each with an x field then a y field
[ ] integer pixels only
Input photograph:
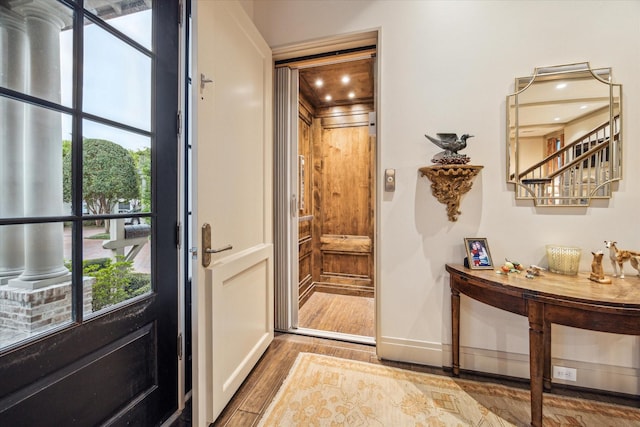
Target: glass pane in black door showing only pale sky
[{"x": 117, "y": 79}]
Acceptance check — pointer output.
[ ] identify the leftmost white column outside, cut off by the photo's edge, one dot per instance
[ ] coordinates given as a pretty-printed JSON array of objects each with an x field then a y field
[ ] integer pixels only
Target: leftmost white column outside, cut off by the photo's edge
[{"x": 12, "y": 75}]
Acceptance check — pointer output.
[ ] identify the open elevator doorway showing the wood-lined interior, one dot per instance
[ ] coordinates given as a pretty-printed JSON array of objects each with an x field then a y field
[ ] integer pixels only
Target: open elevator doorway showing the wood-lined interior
[{"x": 332, "y": 173}]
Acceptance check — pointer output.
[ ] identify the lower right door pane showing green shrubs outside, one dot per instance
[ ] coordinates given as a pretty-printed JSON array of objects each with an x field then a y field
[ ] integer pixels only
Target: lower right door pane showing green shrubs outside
[{"x": 116, "y": 261}]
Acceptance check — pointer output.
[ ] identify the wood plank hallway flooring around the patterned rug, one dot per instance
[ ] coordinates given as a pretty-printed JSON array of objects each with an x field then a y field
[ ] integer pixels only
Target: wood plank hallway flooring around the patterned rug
[{"x": 262, "y": 384}]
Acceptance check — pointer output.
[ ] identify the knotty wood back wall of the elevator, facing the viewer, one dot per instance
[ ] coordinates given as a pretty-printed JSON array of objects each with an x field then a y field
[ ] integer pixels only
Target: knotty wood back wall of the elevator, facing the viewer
[{"x": 345, "y": 210}]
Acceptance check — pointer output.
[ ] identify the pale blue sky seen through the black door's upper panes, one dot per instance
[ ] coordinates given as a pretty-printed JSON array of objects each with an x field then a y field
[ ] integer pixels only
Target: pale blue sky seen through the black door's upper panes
[{"x": 117, "y": 80}]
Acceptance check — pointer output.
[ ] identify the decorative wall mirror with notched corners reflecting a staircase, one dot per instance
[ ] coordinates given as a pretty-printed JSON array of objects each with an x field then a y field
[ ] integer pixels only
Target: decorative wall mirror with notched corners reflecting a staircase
[{"x": 564, "y": 141}]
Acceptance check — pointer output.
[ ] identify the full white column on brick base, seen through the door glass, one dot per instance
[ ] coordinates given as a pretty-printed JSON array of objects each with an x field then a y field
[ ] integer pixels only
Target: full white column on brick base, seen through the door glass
[{"x": 44, "y": 244}]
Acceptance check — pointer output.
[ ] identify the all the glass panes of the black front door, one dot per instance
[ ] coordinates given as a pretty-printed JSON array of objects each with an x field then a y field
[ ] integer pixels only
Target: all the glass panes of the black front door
[{"x": 37, "y": 165}]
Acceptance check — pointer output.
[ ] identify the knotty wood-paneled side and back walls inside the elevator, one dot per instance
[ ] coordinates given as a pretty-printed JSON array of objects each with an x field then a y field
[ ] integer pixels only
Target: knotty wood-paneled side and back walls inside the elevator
[{"x": 337, "y": 222}]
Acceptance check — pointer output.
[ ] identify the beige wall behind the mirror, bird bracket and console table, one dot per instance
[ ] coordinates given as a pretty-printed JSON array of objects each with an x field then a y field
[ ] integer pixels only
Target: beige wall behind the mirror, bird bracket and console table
[{"x": 447, "y": 66}]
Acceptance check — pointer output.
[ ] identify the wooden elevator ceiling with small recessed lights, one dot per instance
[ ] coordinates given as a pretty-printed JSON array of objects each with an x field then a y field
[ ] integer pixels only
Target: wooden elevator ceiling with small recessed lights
[{"x": 358, "y": 81}]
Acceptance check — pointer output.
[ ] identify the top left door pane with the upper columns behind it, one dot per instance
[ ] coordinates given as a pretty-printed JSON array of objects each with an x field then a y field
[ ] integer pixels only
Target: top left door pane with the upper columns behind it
[{"x": 33, "y": 39}]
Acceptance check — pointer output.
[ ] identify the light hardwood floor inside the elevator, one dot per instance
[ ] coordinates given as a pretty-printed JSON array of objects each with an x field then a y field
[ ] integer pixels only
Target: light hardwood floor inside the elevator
[{"x": 338, "y": 313}]
